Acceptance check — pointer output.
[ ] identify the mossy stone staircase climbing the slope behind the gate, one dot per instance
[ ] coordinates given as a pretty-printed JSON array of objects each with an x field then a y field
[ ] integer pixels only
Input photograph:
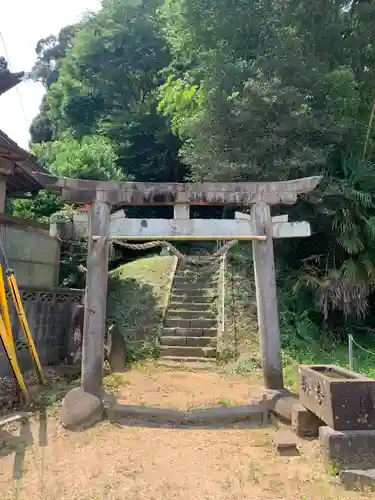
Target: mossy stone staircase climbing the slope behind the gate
[{"x": 190, "y": 325}]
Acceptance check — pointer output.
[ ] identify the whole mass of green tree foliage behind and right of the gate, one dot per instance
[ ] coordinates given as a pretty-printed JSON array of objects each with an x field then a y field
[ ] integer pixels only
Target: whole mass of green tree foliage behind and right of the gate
[{"x": 177, "y": 90}]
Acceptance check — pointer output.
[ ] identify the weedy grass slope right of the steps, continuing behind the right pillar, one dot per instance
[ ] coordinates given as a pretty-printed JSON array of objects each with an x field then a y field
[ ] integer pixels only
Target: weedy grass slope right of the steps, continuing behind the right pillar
[{"x": 303, "y": 341}]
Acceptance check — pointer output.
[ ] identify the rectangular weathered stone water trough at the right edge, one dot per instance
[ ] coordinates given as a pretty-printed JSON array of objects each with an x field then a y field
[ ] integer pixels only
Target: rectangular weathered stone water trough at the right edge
[{"x": 345, "y": 401}]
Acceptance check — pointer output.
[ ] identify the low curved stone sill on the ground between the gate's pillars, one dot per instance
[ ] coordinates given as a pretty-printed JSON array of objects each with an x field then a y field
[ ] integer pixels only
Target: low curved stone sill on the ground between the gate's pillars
[{"x": 204, "y": 416}]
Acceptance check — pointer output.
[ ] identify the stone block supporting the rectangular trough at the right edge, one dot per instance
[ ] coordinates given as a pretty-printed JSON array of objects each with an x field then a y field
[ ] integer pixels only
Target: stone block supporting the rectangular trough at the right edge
[{"x": 348, "y": 449}]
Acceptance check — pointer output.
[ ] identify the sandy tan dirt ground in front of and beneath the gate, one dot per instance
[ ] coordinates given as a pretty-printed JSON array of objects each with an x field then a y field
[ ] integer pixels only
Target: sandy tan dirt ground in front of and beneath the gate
[{"x": 114, "y": 462}]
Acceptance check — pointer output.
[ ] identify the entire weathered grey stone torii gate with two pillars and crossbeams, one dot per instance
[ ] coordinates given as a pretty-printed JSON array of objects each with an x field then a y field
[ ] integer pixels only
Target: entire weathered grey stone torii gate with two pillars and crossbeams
[{"x": 259, "y": 228}]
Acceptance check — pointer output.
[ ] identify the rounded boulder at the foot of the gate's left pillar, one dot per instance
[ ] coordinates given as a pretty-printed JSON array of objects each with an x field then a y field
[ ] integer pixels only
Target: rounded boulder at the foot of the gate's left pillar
[{"x": 80, "y": 409}]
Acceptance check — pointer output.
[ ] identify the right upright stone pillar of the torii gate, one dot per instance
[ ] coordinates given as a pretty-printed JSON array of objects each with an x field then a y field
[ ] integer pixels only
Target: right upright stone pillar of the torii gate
[{"x": 266, "y": 294}]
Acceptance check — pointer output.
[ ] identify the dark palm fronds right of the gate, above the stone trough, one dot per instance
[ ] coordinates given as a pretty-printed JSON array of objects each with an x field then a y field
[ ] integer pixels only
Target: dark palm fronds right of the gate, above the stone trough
[{"x": 343, "y": 275}]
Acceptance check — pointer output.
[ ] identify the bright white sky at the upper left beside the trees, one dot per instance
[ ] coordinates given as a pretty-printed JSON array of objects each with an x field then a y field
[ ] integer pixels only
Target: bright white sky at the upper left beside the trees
[{"x": 22, "y": 24}]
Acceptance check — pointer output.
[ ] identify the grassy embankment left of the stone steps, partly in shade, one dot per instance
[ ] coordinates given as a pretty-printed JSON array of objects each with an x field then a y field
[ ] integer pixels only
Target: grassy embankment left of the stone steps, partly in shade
[{"x": 137, "y": 300}]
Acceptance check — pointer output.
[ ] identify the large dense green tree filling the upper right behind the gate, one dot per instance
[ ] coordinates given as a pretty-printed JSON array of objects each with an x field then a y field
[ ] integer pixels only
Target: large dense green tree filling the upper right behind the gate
[{"x": 276, "y": 102}]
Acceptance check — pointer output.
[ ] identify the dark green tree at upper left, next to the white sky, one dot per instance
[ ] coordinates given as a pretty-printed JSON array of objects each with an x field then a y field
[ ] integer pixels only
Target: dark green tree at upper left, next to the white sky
[{"x": 106, "y": 85}]
